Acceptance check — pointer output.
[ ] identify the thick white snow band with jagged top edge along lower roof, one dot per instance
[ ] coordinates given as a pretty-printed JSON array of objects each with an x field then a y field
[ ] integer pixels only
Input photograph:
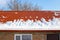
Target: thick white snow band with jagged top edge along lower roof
[{"x": 42, "y": 24}]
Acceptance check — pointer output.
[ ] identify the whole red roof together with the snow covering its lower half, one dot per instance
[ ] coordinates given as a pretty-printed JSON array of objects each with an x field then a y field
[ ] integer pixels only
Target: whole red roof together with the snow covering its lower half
[{"x": 20, "y": 24}]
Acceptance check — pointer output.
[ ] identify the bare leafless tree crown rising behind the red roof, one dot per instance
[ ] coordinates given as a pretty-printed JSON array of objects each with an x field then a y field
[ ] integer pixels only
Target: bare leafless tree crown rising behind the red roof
[{"x": 14, "y": 5}]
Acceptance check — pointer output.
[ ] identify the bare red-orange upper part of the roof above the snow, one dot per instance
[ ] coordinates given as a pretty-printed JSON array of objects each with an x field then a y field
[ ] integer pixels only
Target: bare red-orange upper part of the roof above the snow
[{"x": 11, "y": 15}]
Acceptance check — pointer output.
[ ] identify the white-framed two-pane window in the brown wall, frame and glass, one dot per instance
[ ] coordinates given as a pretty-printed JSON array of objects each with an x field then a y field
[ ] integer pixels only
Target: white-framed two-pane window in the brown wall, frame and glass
[{"x": 23, "y": 37}]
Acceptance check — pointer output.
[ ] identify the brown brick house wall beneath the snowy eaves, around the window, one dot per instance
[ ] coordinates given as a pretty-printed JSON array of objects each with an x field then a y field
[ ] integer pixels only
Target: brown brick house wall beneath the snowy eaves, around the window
[{"x": 35, "y": 35}]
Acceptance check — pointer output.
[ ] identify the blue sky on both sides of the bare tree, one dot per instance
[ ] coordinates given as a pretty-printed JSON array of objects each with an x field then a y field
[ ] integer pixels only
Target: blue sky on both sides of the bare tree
[{"x": 44, "y": 4}]
